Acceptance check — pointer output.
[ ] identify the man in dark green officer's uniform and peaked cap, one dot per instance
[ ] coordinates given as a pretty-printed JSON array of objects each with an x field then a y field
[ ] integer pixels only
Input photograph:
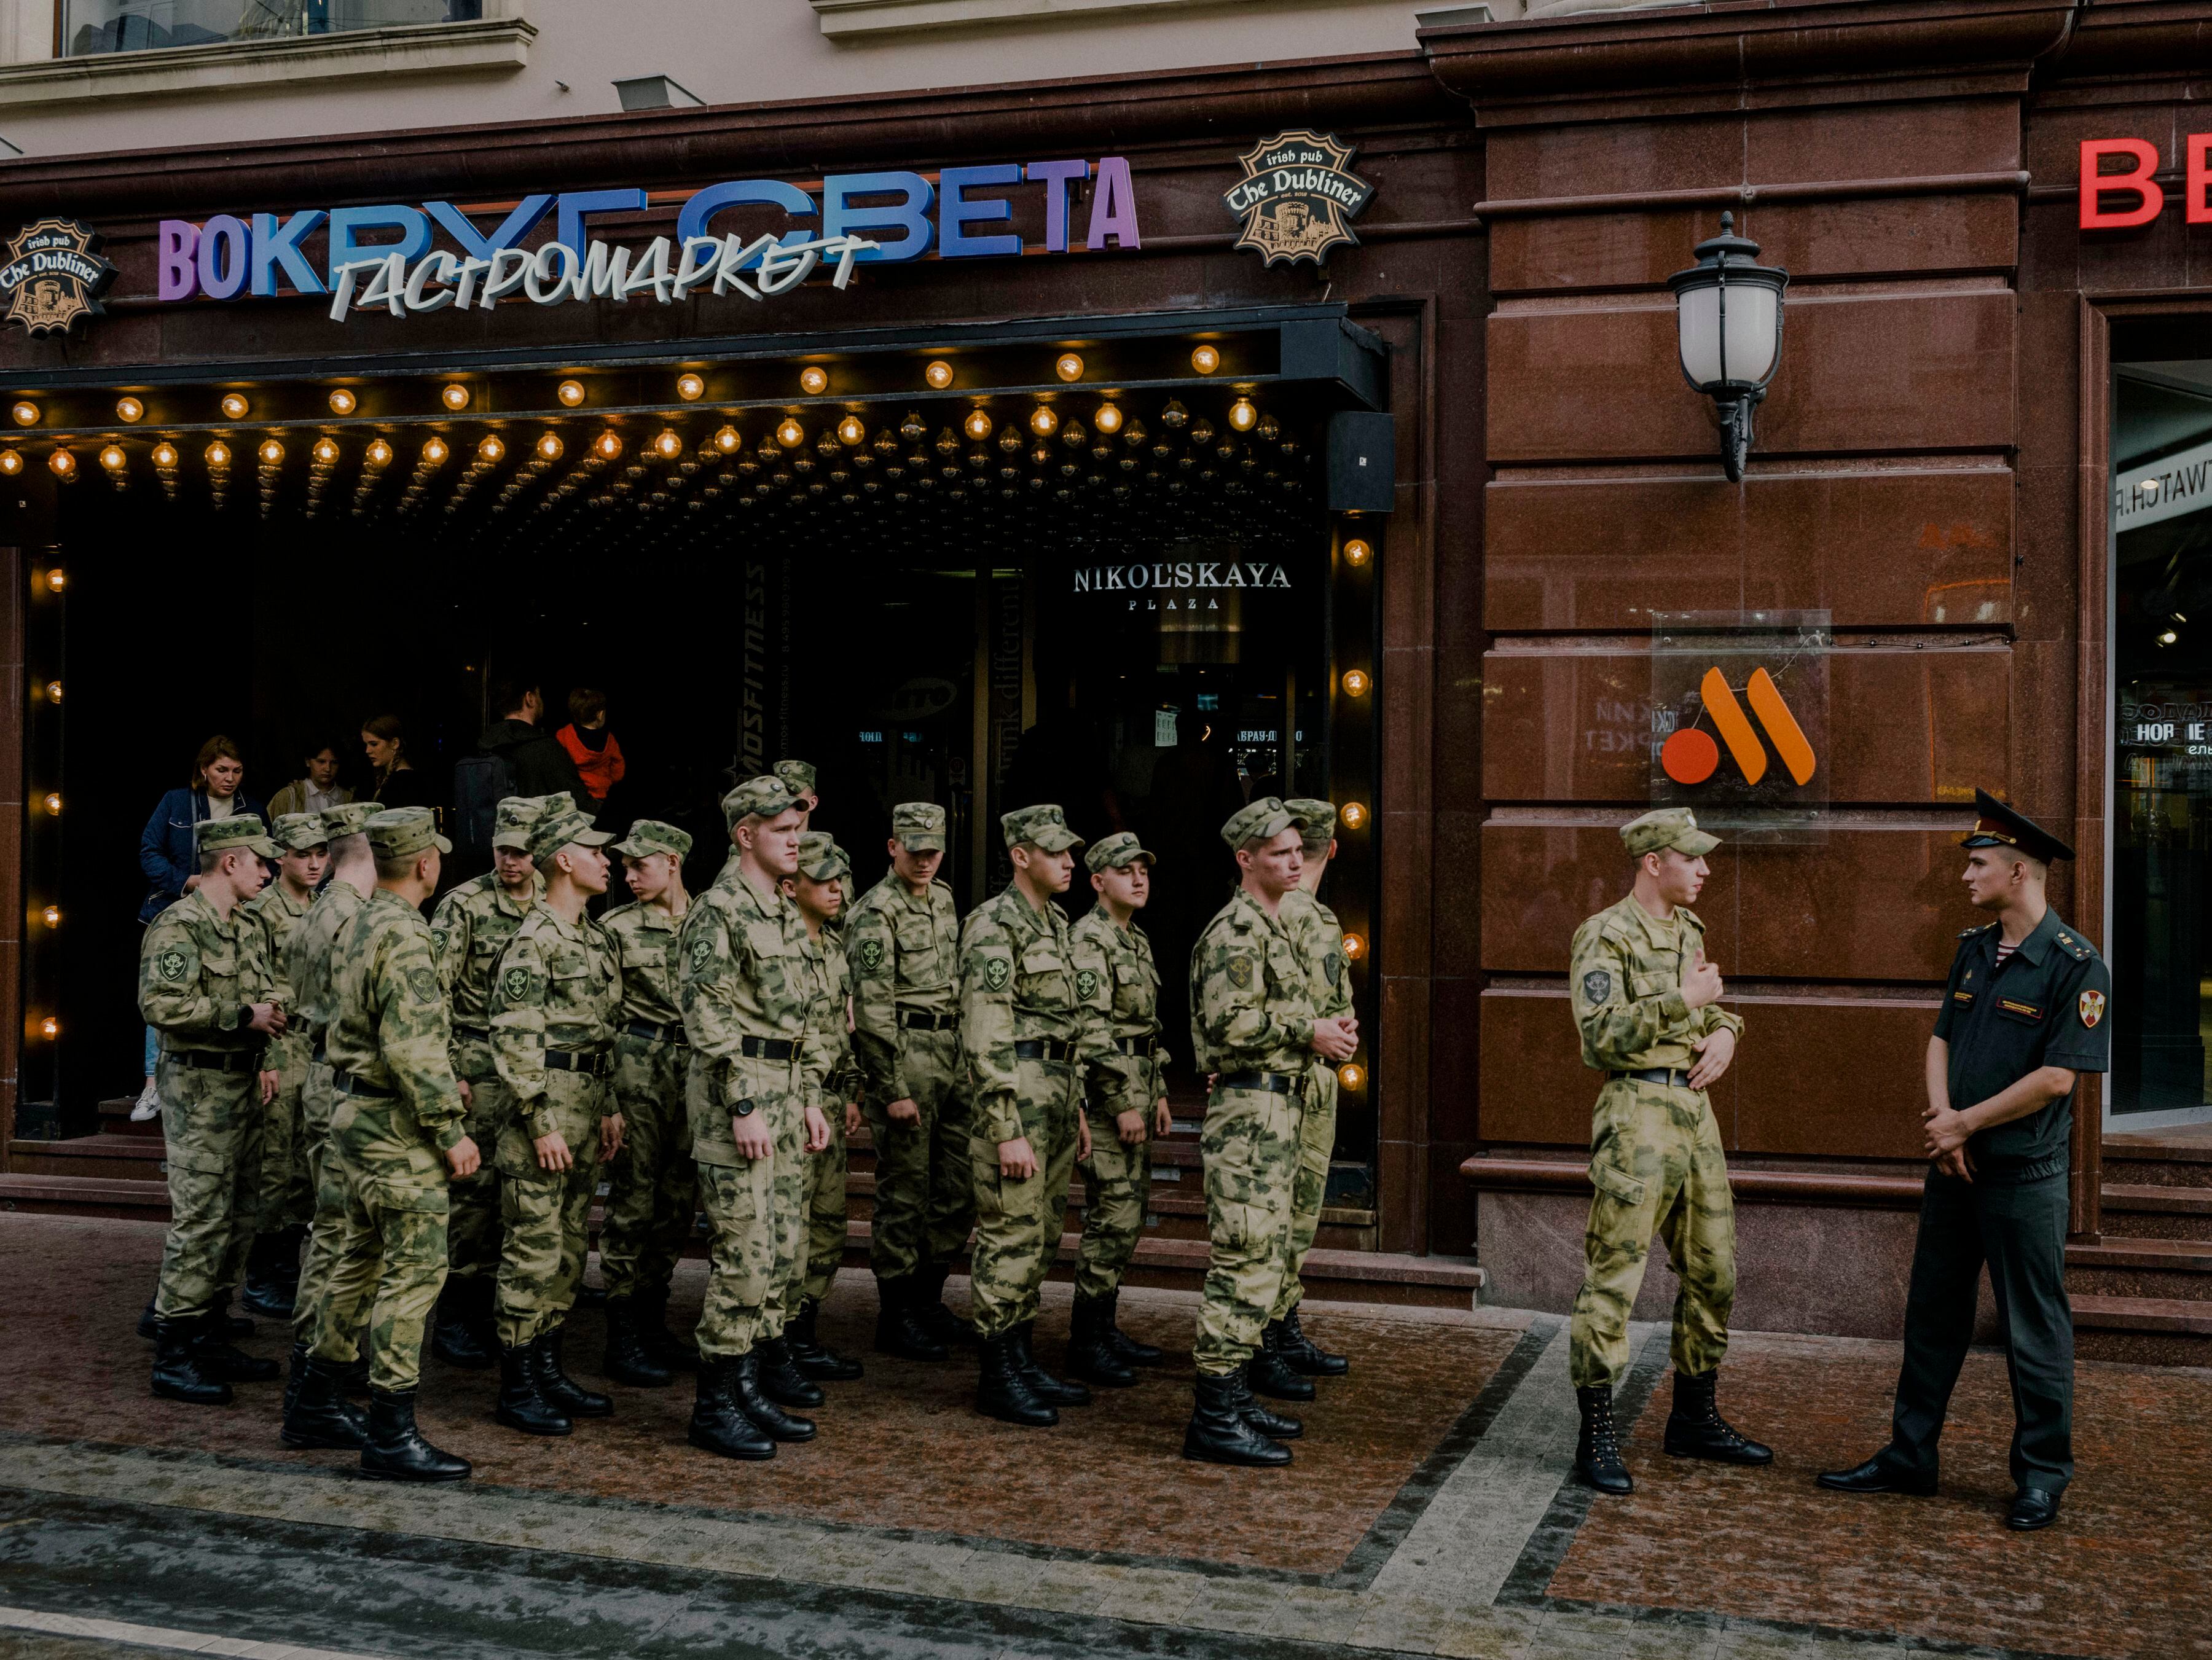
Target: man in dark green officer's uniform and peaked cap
[{"x": 2025, "y": 1013}]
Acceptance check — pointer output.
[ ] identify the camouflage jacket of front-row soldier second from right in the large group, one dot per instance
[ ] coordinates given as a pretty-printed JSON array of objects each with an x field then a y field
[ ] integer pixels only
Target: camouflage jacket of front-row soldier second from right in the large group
[{"x": 1016, "y": 985}]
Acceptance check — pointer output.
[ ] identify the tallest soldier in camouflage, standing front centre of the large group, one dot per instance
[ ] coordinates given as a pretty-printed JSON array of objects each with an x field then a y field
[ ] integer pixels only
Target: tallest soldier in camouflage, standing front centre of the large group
[{"x": 747, "y": 1011}]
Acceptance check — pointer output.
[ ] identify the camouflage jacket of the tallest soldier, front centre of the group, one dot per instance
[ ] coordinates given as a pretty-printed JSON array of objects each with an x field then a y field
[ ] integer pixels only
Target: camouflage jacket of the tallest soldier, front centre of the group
[{"x": 742, "y": 971}]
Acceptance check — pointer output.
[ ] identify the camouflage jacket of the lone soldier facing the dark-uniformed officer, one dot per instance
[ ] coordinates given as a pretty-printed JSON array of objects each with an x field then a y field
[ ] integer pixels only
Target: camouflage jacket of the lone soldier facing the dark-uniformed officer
[{"x": 1625, "y": 976}]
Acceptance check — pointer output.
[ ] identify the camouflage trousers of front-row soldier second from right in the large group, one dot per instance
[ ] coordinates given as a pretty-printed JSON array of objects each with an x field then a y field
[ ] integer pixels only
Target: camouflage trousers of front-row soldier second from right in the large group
[{"x": 1019, "y": 1221}]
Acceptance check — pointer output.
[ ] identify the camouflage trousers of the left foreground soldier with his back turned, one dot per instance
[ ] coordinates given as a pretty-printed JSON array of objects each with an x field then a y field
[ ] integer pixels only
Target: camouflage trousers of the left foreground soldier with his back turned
[{"x": 388, "y": 1274}]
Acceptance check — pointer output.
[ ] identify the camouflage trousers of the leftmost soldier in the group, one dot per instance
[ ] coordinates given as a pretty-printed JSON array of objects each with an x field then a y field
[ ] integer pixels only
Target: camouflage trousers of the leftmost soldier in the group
[{"x": 213, "y": 1126}]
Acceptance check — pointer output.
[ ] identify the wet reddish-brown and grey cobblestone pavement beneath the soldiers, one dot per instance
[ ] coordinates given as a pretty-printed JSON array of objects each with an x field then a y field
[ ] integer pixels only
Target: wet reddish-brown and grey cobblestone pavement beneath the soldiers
[{"x": 1430, "y": 1511}]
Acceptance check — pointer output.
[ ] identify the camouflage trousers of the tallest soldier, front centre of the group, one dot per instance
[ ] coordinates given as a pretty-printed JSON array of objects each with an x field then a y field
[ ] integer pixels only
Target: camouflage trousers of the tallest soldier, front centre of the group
[{"x": 753, "y": 1206}]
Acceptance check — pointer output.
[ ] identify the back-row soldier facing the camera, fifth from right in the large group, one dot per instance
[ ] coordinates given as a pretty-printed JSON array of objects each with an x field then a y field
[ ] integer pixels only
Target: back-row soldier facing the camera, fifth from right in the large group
[{"x": 904, "y": 941}]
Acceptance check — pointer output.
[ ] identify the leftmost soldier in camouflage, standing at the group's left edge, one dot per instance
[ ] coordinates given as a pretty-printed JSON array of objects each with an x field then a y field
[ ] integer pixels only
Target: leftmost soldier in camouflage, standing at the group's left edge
[{"x": 209, "y": 994}]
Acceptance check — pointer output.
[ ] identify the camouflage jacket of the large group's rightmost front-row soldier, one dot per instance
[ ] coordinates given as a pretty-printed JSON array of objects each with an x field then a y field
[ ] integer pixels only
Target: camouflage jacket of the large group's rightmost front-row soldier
[{"x": 1251, "y": 994}]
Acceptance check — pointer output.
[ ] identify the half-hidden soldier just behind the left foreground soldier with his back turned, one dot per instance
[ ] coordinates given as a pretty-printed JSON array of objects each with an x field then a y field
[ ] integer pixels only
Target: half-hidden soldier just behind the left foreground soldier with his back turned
[{"x": 470, "y": 932}]
